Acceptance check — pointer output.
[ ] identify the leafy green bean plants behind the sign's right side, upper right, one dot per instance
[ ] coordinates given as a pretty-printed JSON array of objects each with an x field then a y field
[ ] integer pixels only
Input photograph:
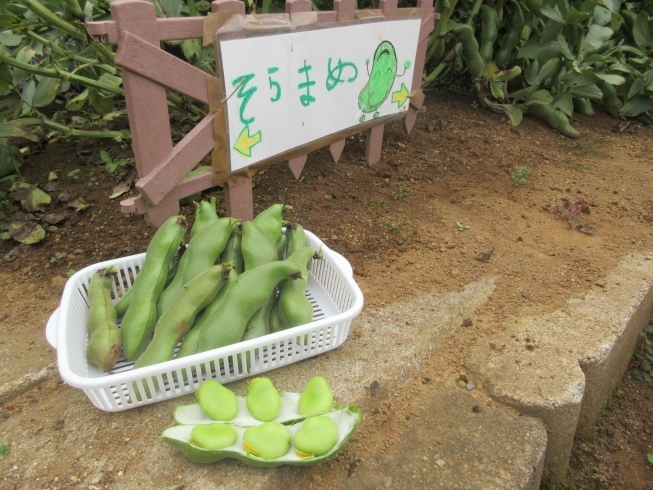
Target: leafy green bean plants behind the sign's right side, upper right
[{"x": 571, "y": 54}]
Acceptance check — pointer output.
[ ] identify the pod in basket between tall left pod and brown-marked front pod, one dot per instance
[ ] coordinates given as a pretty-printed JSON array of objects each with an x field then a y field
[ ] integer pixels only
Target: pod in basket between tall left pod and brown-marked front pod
[{"x": 202, "y": 252}]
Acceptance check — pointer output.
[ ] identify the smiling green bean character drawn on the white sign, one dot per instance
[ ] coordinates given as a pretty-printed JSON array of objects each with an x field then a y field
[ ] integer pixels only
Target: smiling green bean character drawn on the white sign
[{"x": 382, "y": 77}]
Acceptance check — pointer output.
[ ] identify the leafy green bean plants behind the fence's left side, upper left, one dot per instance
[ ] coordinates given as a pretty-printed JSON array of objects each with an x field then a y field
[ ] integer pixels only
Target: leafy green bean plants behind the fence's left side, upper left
[{"x": 55, "y": 79}]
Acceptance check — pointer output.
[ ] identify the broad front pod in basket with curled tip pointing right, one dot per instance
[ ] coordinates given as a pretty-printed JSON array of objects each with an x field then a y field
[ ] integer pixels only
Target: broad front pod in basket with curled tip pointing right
[{"x": 248, "y": 293}]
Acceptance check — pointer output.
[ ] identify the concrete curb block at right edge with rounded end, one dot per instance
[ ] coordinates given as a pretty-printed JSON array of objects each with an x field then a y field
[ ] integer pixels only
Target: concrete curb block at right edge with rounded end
[{"x": 561, "y": 367}]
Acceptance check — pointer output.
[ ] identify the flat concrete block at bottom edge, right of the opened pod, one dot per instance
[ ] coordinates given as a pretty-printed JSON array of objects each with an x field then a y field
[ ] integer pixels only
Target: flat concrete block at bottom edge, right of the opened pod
[{"x": 456, "y": 444}]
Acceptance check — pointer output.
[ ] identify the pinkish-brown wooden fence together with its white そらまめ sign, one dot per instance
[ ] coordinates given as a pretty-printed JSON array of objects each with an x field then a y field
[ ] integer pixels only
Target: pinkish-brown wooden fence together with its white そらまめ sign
[{"x": 286, "y": 85}]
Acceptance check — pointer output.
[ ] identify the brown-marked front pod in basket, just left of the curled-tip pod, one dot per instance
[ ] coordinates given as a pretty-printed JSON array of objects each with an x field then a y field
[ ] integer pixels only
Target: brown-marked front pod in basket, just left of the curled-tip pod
[{"x": 177, "y": 320}]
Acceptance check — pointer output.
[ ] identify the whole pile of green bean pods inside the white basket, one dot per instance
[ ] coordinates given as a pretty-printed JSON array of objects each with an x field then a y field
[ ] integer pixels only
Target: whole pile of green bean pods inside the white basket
[{"x": 230, "y": 283}]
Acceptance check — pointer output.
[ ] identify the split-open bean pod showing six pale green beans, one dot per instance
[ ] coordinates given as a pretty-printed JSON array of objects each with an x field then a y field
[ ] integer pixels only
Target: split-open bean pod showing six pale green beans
[{"x": 264, "y": 428}]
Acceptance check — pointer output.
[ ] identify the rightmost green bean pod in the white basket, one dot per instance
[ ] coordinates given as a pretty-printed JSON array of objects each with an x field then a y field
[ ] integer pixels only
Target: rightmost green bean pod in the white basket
[{"x": 294, "y": 307}]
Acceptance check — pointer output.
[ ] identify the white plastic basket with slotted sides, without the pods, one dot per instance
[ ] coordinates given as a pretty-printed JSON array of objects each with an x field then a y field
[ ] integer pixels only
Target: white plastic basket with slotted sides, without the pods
[{"x": 336, "y": 300}]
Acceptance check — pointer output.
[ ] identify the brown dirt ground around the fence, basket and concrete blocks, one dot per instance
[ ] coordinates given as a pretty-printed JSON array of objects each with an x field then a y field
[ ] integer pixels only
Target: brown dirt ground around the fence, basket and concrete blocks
[{"x": 443, "y": 208}]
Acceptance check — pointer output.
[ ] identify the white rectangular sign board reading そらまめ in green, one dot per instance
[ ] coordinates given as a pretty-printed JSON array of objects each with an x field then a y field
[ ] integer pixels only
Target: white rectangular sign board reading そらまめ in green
[{"x": 287, "y": 90}]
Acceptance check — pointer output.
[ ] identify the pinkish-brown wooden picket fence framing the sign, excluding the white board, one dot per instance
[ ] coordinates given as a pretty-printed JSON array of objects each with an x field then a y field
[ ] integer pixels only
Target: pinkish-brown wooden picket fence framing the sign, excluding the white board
[{"x": 148, "y": 70}]
